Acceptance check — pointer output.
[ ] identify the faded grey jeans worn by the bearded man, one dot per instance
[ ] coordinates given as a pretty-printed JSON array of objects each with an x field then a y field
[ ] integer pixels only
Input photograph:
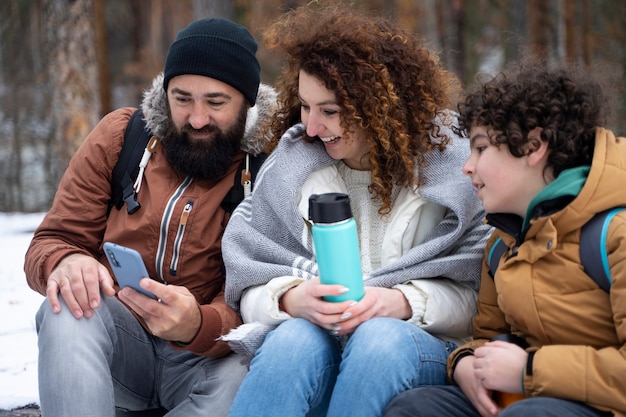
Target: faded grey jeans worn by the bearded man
[{"x": 87, "y": 367}]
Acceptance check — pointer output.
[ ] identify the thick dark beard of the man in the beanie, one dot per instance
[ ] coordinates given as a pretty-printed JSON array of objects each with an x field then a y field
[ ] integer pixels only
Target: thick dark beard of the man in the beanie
[{"x": 207, "y": 158}]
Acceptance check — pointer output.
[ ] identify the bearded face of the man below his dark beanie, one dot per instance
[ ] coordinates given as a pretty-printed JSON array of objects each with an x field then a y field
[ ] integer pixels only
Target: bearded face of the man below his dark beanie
[{"x": 209, "y": 120}]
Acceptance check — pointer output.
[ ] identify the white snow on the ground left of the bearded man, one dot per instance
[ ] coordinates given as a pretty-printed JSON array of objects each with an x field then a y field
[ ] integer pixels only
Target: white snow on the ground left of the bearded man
[{"x": 18, "y": 305}]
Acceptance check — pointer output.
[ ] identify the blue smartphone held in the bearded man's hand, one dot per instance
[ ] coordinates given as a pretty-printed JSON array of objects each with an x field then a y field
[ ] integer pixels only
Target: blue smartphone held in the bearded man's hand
[{"x": 128, "y": 266}]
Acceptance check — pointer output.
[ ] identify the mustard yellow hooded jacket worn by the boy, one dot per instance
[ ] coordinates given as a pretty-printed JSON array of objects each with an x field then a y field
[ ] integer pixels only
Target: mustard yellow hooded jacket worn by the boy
[{"x": 576, "y": 331}]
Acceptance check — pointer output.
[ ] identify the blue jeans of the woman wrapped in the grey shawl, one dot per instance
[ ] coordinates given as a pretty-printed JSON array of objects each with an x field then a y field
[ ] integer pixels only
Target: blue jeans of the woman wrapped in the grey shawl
[{"x": 301, "y": 369}]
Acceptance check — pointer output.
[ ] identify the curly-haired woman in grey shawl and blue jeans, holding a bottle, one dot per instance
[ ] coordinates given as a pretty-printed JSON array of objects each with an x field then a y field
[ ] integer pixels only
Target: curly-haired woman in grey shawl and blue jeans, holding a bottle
[{"x": 363, "y": 112}]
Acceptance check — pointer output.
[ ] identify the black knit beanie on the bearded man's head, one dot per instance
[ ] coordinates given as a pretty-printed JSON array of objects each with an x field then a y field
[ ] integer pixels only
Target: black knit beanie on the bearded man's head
[{"x": 216, "y": 48}]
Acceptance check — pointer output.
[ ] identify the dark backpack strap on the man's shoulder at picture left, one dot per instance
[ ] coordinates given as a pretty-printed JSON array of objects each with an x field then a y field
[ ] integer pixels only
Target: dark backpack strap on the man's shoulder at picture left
[{"x": 136, "y": 138}]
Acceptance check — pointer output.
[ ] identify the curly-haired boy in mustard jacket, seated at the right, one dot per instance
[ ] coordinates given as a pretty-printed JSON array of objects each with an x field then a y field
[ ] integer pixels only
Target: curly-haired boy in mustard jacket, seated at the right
[{"x": 543, "y": 167}]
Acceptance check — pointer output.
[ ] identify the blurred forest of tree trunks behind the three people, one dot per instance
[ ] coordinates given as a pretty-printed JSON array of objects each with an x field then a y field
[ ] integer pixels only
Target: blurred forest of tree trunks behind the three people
[{"x": 65, "y": 63}]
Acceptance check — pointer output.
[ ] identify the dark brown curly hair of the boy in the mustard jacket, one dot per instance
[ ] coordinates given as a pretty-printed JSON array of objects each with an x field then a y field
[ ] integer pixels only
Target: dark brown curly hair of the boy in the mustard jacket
[{"x": 566, "y": 104}]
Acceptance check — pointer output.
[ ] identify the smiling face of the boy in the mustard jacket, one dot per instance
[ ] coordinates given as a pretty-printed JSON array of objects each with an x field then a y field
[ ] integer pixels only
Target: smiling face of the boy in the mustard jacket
[{"x": 504, "y": 183}]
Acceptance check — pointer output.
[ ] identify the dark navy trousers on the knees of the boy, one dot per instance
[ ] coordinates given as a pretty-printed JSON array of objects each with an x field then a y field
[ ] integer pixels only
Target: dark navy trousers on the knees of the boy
[{"x": 450, "y": 401}]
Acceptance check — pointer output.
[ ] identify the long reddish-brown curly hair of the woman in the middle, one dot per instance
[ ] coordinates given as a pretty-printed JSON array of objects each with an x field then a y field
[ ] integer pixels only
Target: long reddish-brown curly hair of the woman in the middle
[{"x": 385, "y": 82}]
